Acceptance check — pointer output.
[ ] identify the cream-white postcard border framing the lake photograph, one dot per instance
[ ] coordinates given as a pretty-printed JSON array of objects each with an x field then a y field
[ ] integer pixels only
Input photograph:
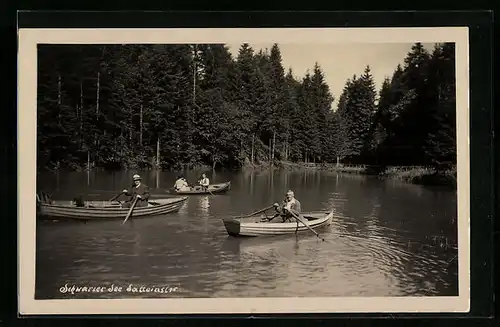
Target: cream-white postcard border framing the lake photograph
[{"x": 27, "y": 106}]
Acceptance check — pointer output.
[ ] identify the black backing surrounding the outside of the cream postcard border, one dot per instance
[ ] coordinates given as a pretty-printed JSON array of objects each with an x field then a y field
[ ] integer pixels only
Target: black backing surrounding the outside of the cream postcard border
[{"x": 482, "y": 182}]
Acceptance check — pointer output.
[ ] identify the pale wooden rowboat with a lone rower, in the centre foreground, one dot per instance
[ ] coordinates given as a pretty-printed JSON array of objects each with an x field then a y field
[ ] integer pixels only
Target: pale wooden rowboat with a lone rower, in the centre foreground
[{"x": 255, "y": 227}]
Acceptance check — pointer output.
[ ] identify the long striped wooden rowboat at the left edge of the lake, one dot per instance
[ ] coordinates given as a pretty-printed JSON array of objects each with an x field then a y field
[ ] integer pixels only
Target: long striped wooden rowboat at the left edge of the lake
[{"x": 101, "y": 210}]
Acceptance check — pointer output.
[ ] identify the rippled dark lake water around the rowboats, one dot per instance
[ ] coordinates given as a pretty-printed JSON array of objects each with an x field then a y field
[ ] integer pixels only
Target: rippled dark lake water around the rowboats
[{"x": 388, "y": 238}]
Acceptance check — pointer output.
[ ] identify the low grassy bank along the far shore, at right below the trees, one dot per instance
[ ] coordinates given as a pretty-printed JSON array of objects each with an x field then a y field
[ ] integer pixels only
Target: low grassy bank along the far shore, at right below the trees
[{"x": 411, "y": 174}]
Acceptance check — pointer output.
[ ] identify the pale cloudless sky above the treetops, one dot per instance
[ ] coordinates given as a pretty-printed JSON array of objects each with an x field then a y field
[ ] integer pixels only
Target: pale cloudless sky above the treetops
[{"x": 340, "y": 61}]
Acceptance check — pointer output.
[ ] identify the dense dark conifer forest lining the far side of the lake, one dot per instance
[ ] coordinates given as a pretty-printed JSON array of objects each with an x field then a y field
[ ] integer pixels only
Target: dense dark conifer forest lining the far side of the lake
[{"x": 182, "y": 106}]
